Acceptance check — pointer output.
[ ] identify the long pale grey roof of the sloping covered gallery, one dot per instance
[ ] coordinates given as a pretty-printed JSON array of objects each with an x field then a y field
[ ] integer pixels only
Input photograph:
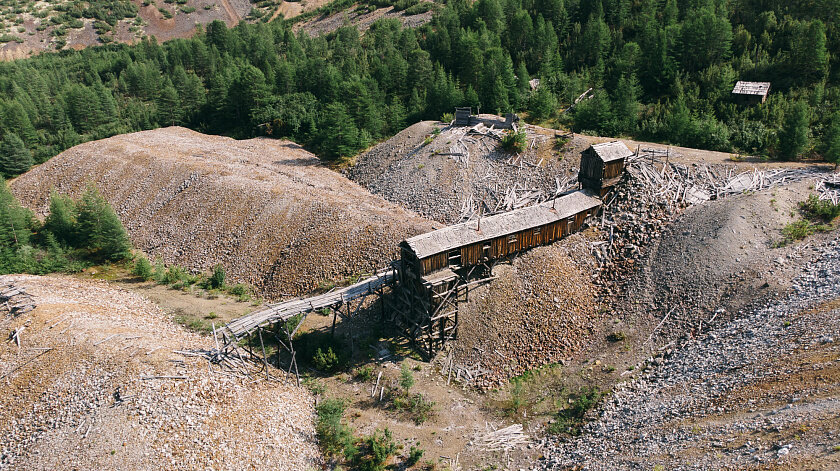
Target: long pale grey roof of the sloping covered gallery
[{"x": 459, "y": 235}]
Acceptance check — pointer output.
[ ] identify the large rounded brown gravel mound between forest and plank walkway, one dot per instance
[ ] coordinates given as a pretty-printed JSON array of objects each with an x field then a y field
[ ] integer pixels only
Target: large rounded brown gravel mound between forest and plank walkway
[{"x": 265, "y": 209}]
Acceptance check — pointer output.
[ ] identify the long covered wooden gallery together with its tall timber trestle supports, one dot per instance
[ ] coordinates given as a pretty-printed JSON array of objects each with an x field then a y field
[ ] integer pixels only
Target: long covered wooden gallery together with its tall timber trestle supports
[{"x": 438, "y": 268}]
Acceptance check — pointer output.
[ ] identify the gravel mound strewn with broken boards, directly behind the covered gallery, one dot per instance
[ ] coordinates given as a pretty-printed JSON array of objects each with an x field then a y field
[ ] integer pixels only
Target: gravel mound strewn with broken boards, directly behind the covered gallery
[{"x": 428, "y": 179}]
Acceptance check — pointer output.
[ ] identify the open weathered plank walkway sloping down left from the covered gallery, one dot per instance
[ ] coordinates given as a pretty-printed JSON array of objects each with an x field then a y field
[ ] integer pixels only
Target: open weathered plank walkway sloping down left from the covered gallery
[{"x": 282, "y": 312}]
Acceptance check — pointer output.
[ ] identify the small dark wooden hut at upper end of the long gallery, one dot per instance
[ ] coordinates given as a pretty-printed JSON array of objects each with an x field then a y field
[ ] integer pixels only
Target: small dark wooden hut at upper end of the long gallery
[{"x": 602, "y": 165}]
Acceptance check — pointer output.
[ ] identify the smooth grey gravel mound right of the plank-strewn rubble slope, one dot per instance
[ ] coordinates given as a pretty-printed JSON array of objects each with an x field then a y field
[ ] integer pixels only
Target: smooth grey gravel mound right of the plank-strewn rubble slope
[{"x": 717, "y": 257}]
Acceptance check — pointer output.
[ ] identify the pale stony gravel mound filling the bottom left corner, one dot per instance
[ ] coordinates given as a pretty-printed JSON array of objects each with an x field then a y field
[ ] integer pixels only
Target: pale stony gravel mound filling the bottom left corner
[{"x": 83, "y": 391}]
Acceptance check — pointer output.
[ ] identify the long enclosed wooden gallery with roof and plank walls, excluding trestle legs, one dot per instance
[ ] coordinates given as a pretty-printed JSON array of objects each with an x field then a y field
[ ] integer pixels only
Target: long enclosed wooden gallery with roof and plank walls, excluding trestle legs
[{"x": 497, "y": 236}]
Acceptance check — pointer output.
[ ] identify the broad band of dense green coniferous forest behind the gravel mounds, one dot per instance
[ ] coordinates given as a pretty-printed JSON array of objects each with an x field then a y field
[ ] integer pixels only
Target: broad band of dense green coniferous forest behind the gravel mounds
[{"x": 660, "y": 70}]
